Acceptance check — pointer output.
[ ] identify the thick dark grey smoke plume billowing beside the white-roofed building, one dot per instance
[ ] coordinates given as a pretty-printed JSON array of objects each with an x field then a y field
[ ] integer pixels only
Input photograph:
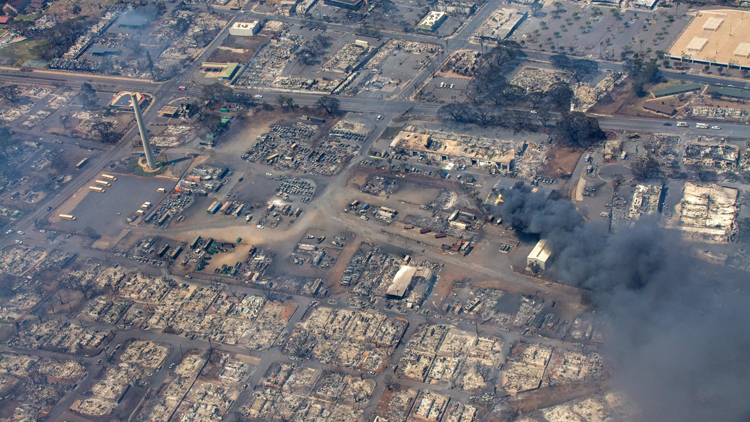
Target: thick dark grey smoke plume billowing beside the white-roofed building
[{"x": 678, "y": 331}]
